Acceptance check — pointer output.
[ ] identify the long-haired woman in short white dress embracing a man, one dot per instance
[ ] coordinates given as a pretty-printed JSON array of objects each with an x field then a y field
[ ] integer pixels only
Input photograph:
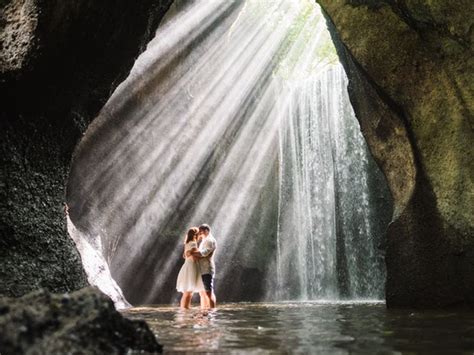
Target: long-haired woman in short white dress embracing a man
[{"x": 189, "y": 277}]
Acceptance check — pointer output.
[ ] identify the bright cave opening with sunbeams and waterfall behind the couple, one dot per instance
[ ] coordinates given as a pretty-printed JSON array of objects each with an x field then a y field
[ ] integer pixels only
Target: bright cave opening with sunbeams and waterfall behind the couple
[{"x": 236, "y": 115}]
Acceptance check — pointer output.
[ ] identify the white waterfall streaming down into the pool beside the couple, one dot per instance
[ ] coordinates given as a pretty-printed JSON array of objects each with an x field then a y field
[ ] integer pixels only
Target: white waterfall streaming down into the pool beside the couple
[{"x": 325, "y": 241}]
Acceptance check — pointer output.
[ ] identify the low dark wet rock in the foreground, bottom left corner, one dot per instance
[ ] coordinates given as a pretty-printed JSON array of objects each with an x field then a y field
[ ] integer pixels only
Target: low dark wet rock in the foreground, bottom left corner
[{"x": 83, "y": 322}]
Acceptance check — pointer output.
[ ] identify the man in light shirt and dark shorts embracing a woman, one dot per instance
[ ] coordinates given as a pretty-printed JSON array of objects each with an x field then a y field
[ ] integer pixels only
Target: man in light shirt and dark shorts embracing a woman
[{"x": 207, "y": 266}]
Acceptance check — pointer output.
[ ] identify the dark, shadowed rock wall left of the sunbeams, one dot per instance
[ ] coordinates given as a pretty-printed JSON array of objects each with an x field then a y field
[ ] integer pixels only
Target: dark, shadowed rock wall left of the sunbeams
[{"x": 59, "y": 62}]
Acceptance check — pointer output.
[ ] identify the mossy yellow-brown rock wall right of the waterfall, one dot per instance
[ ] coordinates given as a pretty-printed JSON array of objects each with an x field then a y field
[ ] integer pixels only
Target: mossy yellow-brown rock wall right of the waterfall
[{"x": 410, "y": 66}]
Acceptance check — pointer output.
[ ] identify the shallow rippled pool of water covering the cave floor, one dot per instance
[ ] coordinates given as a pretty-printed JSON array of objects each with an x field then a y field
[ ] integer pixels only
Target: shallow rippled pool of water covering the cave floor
[{"x": 336, "y": 328}]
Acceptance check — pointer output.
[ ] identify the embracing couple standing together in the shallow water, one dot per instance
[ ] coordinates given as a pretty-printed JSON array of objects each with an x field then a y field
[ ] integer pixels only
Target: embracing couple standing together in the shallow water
[{"x": 197, "y": 273}]
